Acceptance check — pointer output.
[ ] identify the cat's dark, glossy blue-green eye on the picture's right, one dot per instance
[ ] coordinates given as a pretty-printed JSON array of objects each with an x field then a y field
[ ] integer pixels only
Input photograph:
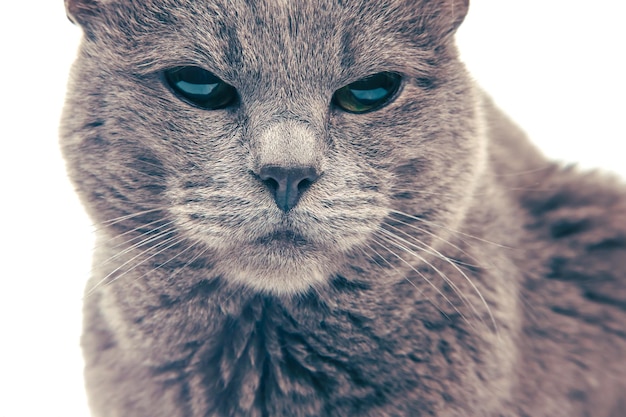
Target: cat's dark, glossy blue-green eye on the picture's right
[{"x": 368, "y": 94}]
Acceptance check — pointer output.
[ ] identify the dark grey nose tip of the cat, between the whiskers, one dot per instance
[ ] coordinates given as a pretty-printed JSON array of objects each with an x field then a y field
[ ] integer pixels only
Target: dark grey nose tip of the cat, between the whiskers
[{"x": 287, "y": 184}]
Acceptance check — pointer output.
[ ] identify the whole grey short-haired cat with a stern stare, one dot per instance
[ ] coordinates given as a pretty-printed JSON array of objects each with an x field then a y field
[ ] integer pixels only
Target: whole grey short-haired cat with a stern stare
[{"x": 308, "y": 208}]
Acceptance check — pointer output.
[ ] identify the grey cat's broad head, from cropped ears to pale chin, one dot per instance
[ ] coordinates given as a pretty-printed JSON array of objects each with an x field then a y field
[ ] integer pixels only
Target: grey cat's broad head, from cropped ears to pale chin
[{"x": 274, "y": 139}]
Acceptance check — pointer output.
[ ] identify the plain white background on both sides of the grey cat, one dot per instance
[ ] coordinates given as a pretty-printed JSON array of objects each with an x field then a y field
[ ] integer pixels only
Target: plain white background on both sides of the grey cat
[{"x": 556, "y": 66}]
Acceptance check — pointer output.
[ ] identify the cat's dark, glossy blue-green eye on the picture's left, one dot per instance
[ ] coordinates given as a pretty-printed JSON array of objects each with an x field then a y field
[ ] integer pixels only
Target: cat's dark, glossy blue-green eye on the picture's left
[{"x": 200, "y": 87}]
